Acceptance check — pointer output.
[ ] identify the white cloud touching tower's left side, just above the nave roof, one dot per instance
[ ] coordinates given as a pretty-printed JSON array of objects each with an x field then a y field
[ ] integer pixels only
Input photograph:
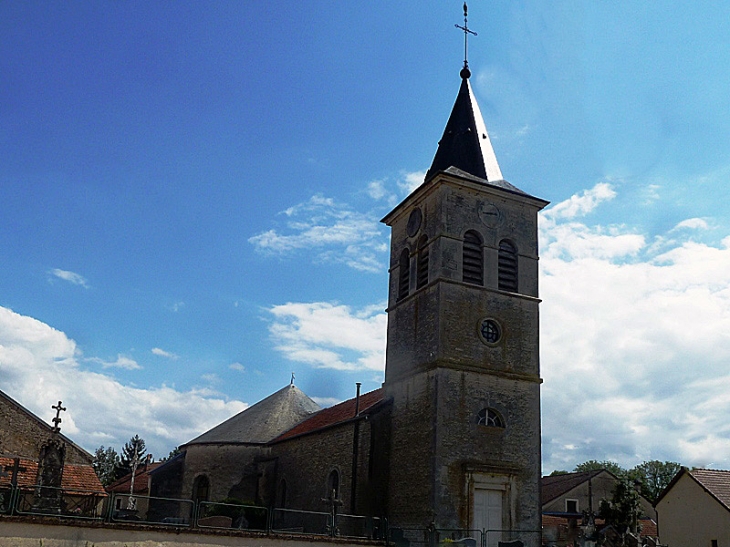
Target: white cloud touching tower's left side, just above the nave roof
[{"x": 326, "y": 335}]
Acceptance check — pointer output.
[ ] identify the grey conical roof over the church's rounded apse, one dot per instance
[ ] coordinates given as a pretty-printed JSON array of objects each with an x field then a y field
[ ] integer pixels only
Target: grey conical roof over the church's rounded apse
[{"x": 262, "y": 422}]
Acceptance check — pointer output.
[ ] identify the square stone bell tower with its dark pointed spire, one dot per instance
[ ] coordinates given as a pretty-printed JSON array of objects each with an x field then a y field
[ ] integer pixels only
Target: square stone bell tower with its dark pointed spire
[{"x": 462, "y": 361}]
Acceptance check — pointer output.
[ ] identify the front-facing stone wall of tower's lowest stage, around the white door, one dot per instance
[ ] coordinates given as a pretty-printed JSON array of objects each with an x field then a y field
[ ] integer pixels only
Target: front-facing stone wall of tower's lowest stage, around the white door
[{"x": 465, "y": 448}]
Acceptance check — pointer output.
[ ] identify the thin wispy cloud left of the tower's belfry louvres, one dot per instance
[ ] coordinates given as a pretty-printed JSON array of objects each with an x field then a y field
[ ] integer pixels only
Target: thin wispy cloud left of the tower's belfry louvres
[{"x": 340, "y": 233}]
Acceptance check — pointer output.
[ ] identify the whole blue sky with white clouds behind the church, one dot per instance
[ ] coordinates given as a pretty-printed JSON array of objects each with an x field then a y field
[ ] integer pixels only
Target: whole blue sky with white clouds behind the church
[{"x": 190, "y": 196}]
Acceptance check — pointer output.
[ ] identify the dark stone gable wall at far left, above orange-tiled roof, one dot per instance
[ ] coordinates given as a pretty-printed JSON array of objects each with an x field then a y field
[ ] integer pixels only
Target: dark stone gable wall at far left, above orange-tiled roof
[{"x": 23, "y": 434}]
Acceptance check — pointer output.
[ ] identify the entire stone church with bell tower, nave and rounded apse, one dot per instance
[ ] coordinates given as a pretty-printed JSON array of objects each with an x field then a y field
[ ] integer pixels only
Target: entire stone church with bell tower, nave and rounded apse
[{"x": 452, "y": 438}]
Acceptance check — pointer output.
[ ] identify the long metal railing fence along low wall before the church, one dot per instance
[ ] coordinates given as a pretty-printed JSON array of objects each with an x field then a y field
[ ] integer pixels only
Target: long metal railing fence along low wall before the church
[{"x": 90, "y": 505}]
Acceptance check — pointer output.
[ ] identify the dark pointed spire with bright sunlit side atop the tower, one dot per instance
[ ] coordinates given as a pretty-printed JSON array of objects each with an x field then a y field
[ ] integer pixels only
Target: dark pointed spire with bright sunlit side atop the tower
[{"x": 465, "y": 143}]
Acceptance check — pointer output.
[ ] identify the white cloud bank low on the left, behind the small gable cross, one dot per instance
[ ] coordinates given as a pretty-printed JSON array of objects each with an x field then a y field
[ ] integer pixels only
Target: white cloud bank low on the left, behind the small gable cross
[{"x": 40, "y": 365}]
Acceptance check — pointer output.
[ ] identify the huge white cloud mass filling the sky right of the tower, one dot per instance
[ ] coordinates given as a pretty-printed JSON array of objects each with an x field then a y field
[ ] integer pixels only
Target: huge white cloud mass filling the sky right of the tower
[{"x": 634, "y": 352}]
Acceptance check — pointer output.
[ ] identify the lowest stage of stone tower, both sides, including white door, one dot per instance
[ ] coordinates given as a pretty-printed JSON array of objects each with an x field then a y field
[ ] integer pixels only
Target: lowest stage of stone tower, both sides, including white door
[{"x": 465, "y": 452}]
